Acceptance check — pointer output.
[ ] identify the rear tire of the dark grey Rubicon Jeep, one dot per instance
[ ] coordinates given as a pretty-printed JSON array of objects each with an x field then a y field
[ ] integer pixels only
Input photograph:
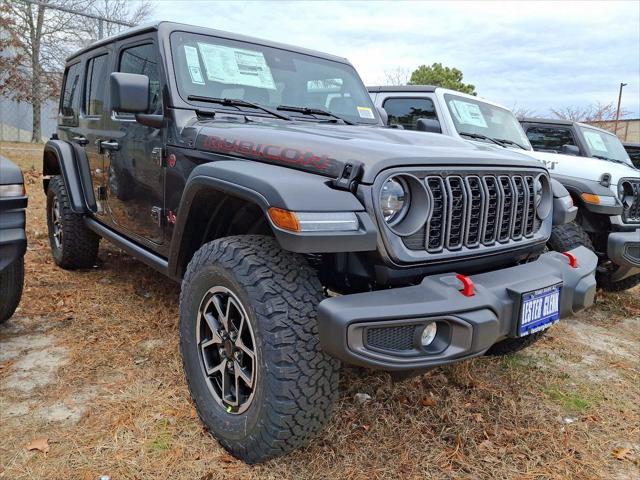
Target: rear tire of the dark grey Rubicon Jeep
[{"x": 79, "y": 245}]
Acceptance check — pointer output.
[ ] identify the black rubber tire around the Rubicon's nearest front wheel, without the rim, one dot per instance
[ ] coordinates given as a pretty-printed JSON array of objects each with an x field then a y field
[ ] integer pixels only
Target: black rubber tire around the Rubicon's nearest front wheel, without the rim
[{"x": 297, "y": 383}]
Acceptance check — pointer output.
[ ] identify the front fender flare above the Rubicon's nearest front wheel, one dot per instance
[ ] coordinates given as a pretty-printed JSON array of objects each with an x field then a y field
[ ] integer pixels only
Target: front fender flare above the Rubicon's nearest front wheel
[{"x": 274, "y": 186}]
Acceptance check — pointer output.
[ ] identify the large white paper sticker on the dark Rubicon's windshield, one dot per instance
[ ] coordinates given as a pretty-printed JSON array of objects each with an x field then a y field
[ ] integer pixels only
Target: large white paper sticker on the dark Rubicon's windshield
[{"x": 236, "y": 66}]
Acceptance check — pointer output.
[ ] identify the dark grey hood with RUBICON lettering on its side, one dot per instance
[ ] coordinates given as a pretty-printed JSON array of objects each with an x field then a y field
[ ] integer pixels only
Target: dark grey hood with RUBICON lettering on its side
[{"x": 327, "y": 149}]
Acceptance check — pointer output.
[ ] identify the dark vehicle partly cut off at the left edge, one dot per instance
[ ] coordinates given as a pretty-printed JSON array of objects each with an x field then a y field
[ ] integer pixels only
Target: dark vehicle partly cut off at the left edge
[{"x": 13, "y": 240}]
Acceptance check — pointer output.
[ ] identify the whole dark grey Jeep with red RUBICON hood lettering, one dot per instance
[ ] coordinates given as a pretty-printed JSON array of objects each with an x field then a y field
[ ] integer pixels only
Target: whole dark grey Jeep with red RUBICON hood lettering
[{"x": 304, "y": 233}]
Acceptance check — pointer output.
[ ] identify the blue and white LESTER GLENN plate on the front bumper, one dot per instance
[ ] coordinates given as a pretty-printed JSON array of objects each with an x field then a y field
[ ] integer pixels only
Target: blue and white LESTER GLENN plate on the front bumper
[{"x": 539, "y": 310}]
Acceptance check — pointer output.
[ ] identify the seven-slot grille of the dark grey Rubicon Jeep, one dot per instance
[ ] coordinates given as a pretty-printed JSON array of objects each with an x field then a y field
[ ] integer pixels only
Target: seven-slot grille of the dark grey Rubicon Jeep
[{"x": 476, "y": 209}]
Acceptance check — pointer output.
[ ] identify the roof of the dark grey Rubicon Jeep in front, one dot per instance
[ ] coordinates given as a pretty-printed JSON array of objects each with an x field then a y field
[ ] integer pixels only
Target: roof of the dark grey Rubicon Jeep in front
[{"x": 165, "y": 28}]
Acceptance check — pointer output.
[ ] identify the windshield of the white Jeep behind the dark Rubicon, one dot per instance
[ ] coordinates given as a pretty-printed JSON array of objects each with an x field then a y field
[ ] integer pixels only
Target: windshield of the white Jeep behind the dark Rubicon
[{"x": 479, "y": 118}]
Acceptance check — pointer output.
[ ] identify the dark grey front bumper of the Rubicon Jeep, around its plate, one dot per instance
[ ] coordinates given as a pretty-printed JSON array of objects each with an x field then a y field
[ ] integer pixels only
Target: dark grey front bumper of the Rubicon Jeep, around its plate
[{"x": 381, "y": 329}]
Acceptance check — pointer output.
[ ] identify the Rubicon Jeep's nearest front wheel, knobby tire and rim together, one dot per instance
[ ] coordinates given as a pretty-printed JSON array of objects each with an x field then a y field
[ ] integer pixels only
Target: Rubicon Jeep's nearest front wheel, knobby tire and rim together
[{"x": 290, "y": 384}]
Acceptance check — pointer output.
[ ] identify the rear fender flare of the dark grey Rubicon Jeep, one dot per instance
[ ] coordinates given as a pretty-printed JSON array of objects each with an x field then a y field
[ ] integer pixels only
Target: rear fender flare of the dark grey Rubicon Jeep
[{"x": 61, "y": 157}]
